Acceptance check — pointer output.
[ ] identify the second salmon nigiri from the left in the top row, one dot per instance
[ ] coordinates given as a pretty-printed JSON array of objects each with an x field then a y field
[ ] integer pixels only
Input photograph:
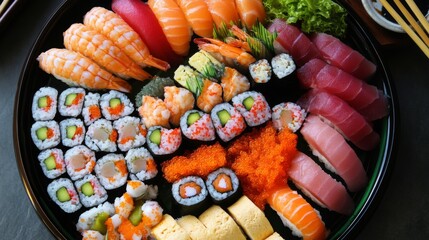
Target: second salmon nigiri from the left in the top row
[{"x": 198, "y": 16}]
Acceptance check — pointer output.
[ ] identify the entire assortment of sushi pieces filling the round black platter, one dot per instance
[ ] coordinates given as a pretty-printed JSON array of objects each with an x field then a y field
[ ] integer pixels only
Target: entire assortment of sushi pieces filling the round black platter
[{"x": 205, "y": 131}]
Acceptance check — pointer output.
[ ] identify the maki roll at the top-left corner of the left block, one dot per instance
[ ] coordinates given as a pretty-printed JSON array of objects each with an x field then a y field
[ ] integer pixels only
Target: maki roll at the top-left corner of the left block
[{"x": 44, "y": 105}]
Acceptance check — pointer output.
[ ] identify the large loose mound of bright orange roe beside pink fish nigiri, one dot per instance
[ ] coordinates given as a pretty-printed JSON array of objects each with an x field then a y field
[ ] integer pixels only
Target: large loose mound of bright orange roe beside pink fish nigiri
[{"x": 261, "y": 159}]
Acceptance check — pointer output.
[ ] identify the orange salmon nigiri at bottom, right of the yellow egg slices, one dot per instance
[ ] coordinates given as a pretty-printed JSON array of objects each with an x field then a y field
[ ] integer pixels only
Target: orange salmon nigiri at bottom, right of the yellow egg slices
[{"x": 297, "y": 214}]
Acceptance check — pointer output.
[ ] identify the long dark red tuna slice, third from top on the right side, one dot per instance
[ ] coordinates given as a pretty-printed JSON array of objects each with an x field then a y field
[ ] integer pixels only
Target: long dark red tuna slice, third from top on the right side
[{"x": 365, "y": 98}]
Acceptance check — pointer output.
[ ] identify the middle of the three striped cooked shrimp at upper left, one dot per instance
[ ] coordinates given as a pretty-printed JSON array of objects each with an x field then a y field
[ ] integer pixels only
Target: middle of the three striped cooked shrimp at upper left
[{"x": 100, "y": 49}]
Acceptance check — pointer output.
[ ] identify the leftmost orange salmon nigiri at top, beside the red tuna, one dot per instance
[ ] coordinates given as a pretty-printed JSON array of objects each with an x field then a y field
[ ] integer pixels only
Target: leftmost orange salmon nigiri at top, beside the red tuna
[{"x": 174, "y": 24}]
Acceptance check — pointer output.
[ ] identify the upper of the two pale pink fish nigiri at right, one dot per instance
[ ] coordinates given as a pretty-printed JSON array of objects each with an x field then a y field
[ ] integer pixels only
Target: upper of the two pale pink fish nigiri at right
[{"x": 333, "y": 150}]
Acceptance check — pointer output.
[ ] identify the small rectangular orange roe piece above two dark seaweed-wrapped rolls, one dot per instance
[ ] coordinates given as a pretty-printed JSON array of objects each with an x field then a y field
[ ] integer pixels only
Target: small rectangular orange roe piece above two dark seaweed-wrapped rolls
[{"x": 200, "y": 162}]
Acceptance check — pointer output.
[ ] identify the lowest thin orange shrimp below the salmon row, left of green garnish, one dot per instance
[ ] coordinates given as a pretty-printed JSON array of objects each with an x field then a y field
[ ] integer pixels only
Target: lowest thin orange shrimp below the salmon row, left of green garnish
[{"x": 211, "y": 45}]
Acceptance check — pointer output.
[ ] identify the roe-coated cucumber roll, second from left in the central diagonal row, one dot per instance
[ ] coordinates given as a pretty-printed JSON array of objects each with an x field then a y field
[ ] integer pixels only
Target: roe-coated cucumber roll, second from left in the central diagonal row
[{"x": 197, "y": 125}]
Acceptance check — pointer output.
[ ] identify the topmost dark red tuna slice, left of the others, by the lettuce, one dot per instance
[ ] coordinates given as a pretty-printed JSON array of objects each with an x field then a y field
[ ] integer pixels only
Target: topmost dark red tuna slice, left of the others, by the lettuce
[{"x": 291, "y": 40}]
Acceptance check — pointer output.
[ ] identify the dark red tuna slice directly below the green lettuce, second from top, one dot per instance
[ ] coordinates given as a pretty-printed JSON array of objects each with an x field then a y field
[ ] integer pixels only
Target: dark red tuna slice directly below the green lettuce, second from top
[{"x": 339, "y": 54}]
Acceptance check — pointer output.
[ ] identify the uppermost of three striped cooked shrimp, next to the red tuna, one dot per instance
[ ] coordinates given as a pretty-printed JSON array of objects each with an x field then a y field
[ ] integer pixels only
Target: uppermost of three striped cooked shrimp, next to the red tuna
[{"x": 116, "y": 29}]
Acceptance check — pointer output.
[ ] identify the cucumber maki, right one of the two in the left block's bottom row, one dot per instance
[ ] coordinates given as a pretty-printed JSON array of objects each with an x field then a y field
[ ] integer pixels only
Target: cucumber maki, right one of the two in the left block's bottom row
[{"x": 91, "y": 193}]
